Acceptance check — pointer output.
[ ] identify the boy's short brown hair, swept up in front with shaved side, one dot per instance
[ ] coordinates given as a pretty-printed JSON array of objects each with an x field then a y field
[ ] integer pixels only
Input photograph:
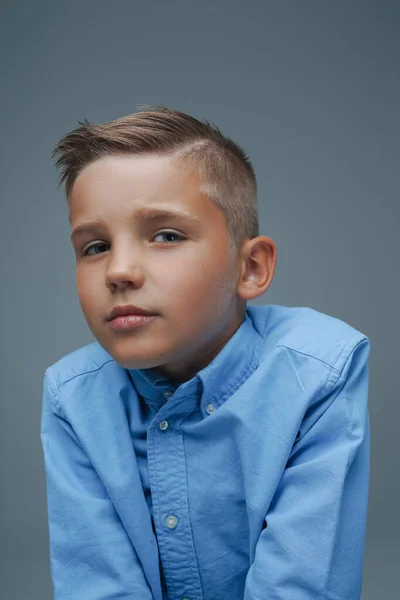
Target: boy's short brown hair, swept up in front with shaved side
[{"x": 226, "y": 173}]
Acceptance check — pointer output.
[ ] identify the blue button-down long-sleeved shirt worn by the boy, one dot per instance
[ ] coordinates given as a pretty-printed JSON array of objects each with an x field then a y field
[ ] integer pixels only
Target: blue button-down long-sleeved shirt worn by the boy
[{"x": 249, "y": 481}]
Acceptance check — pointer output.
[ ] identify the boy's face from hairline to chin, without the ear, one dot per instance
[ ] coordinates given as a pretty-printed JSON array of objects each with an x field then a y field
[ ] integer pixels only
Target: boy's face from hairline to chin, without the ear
[{"x": 190, "y": 282}]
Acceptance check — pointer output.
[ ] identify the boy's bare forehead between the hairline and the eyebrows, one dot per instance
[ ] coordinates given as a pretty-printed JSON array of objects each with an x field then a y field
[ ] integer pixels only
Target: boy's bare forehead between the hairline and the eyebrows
[{"x": 141, "y": 187}]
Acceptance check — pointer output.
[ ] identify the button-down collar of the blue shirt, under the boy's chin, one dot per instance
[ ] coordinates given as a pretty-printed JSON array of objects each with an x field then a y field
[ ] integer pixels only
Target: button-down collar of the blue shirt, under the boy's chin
[{"x": 213, "y": 384}]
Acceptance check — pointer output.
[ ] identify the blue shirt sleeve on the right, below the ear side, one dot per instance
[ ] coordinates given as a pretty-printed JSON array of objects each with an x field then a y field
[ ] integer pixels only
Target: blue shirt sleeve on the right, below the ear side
[{"x": 312, "y": 544}]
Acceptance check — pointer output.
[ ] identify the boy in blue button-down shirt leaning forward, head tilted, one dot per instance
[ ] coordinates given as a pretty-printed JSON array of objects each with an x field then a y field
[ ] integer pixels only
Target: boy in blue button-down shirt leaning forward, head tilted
[{"x": 202, "y": 449}]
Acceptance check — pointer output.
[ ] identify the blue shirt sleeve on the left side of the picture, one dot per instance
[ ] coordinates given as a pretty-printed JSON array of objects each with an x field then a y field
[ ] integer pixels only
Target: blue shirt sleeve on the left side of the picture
[{"x": 91, "y": 556}]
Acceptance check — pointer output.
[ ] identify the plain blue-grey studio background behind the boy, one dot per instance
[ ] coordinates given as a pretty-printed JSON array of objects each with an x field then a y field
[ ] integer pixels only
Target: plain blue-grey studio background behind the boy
[{"x": 311, "y": 91}]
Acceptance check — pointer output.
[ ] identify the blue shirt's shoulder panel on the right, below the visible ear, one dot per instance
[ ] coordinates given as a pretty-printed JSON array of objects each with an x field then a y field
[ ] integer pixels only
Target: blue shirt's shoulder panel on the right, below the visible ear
[{"x": 307, "y": 331}]
